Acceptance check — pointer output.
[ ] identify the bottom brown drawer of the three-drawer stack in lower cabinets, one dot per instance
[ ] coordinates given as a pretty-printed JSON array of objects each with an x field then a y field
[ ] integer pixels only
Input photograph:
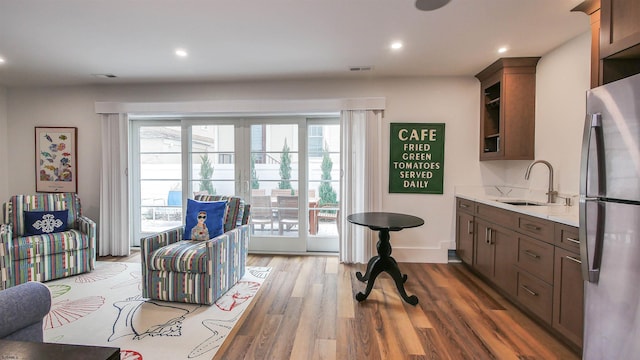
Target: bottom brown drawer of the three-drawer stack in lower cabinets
[{"x": 535, "y": 295}]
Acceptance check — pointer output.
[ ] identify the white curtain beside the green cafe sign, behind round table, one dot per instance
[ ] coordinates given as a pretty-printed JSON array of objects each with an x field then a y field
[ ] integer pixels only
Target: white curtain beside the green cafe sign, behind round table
[{"x": 361, "y": 181}]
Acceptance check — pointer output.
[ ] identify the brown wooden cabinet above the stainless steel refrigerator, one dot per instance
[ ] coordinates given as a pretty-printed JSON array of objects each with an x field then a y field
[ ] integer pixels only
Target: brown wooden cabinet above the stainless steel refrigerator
[{"x": 615, "y": 48}]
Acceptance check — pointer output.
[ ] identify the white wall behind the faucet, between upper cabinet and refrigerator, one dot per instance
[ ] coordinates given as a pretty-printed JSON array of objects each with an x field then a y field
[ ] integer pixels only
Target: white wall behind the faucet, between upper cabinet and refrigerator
[{"x": 562, "y": 79}]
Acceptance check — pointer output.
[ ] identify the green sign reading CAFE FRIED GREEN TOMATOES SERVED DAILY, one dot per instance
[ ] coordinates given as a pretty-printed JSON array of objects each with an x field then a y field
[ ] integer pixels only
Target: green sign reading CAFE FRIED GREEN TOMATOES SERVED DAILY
[{"x": 416, "y": 161}]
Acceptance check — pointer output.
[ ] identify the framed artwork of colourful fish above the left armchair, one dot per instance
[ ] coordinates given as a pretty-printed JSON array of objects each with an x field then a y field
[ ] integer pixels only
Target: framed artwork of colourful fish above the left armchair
[{"x": 56, "y": 159}]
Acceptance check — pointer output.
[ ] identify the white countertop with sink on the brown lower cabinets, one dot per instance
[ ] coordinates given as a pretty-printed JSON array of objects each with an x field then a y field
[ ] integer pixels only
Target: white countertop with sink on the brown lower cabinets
[{"x": 556, "y": 212}]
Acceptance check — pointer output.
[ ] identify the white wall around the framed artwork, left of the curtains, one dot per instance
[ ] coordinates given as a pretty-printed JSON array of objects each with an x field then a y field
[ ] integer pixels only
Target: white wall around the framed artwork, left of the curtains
[{"x": 63, "y": 106}]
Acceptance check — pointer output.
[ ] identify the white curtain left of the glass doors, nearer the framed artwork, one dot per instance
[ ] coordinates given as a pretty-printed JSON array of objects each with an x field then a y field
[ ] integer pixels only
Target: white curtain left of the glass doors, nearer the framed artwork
[{"x": 113, "y": 234}]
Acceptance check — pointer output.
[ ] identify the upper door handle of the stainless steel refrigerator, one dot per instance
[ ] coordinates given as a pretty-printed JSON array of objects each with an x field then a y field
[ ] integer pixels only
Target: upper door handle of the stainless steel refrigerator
[{"x": 593, "y": 132}]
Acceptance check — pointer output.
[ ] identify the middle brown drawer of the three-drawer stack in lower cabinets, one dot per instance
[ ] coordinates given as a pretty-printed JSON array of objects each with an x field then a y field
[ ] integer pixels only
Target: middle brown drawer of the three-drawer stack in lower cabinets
[{"x": 536, "y": 257}]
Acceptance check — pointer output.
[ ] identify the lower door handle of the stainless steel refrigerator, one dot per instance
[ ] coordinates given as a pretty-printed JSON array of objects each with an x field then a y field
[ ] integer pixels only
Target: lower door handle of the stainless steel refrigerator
[{"x": 591, "y": 241}]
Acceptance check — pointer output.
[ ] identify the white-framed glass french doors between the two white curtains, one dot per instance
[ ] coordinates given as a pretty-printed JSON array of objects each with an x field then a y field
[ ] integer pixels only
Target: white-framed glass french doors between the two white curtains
[{"x": 287, "y": 168}]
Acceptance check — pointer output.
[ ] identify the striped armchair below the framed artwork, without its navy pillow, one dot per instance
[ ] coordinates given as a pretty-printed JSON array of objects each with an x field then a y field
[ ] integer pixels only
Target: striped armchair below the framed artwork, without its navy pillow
[{"x": 48, "y": 256}]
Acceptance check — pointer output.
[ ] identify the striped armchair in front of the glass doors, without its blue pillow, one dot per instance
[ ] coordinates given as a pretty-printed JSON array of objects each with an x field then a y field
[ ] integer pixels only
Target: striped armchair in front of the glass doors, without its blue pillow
[{"x": 194, "y": 271}]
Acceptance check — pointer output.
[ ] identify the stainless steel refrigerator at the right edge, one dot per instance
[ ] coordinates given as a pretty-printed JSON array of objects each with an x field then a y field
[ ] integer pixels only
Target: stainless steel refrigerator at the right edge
[{"x": 610, "y": 221}]
